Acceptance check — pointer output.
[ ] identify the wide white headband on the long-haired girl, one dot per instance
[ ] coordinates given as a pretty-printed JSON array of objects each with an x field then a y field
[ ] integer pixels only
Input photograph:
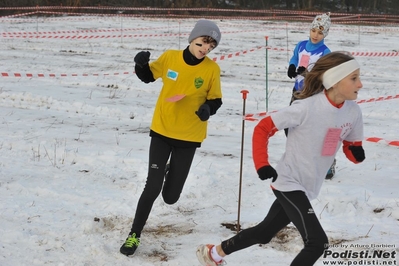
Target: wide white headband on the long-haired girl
[{"x": 337, "y": 73}]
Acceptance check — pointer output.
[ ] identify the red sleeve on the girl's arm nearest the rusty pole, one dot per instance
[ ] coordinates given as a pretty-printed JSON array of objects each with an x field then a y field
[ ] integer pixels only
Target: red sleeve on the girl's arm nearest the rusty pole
[{"x": 260, "y": 139}]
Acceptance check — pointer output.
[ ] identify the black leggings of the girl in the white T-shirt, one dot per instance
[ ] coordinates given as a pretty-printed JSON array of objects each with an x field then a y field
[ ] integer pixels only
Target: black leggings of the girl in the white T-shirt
[{"x": 289, "y": 207}]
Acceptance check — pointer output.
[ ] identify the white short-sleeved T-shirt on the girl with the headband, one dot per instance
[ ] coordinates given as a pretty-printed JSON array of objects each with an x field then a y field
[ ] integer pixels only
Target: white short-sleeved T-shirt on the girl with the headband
[{"x": 302, "y": 166}]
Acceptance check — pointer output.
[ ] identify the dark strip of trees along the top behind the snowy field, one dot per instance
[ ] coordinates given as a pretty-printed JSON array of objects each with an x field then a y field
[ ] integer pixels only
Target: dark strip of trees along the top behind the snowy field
[{"x": 389, "y": 7}]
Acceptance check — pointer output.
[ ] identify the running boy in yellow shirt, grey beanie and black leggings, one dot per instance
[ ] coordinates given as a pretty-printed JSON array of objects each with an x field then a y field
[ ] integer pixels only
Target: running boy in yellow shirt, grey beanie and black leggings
[{"x": 191, "y": 93}]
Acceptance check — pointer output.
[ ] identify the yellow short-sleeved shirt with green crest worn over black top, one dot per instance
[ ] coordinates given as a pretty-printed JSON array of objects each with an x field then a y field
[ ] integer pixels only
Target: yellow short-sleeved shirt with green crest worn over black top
[{"x": 176, "y": 118}]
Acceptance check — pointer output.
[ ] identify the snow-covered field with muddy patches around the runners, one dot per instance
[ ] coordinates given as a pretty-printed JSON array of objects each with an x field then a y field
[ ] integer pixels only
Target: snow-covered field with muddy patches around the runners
[{"x": 74, "y": 144}]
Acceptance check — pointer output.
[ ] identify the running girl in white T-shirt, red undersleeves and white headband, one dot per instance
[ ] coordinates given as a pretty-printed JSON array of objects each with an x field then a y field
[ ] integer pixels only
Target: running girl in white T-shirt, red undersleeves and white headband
[{"x": 324, "y": 117}]
